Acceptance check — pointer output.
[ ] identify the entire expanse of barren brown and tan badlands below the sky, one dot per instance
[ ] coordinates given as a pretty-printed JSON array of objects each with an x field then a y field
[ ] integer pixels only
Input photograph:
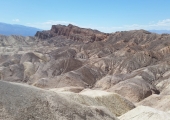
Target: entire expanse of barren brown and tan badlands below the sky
[{"x": 73, "y": 73}]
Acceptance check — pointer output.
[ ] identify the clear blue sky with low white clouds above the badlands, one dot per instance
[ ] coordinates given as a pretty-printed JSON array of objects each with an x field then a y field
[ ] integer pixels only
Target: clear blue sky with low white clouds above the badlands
[{"x": 103, "y": 15}]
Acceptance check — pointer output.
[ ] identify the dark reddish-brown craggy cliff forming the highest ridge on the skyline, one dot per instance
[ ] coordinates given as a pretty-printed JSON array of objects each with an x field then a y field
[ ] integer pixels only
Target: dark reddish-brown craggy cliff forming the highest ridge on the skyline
[{"x": 73, "y": 32}]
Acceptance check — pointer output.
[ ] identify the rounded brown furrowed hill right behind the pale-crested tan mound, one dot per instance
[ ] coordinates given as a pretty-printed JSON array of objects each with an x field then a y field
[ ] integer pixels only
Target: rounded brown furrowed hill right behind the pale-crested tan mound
[{"x": 134, "y": 89}]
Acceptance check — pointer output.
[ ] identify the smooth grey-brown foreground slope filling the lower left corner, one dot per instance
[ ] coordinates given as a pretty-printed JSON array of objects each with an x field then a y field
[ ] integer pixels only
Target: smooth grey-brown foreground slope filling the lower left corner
[{"x": 23, "y": 102}]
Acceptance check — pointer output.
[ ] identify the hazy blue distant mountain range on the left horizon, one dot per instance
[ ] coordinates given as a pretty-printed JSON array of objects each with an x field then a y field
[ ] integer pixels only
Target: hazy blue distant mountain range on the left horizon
[{"x": 14, "y": 29}]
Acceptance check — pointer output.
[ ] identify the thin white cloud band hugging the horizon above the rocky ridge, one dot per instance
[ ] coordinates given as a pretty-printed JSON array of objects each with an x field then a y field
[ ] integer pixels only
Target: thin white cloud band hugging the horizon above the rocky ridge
[{"x": 160, "y": 25}]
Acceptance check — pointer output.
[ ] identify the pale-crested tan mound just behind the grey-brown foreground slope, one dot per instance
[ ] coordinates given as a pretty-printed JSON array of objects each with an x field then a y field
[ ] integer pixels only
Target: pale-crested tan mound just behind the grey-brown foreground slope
[{"x": 113, "y": 102}]
